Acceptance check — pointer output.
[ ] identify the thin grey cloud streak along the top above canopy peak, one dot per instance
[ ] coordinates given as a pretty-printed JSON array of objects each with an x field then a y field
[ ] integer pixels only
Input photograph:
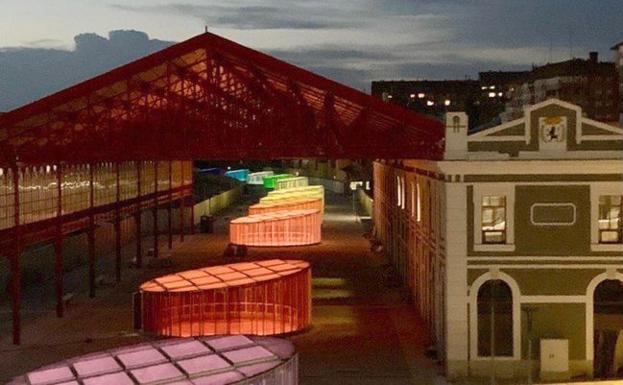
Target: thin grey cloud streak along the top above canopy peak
[{"x": 292, "y": 16}]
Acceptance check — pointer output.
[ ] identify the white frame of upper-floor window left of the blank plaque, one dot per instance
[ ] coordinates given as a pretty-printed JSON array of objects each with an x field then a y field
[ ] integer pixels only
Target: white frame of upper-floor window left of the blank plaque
[{"x": 499, "y": 189}]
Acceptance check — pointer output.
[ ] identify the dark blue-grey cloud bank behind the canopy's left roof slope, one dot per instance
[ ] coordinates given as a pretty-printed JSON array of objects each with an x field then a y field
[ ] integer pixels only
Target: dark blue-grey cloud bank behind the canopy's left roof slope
[{"x": 31, "y": 73}]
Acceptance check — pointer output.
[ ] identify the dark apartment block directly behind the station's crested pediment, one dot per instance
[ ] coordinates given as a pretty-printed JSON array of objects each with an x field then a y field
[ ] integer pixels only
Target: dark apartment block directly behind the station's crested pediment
[{"x": 588, "y": 83}]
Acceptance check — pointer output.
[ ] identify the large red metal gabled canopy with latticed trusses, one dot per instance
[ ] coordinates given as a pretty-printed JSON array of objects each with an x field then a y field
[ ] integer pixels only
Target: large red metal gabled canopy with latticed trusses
[{"x": 211, "y": 98}]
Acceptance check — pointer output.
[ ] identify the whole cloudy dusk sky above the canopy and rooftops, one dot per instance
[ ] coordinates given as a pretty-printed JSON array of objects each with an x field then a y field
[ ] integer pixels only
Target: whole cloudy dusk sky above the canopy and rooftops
[{"x": 47, "y": 45}]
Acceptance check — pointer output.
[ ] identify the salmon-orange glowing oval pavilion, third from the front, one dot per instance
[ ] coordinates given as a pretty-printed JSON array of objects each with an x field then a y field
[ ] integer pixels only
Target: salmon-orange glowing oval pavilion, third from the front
[{"x": 279, "y": 228}]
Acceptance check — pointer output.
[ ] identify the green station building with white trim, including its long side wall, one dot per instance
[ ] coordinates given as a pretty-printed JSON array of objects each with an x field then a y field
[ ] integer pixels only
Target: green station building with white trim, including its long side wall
[{"x": 512, "y": 244}]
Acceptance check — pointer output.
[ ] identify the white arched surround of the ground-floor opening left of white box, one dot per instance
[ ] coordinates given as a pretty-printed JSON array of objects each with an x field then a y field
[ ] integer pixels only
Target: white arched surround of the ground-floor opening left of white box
[{"x": 473, "y": 310}]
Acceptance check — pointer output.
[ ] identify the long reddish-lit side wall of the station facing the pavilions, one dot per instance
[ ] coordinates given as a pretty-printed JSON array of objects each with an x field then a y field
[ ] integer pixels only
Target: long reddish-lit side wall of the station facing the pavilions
[{"x": 411, "y": 230}]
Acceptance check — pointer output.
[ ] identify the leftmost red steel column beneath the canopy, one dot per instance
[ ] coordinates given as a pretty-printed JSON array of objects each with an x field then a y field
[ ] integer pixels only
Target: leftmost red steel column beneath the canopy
[{"x": 16, "y": 279}]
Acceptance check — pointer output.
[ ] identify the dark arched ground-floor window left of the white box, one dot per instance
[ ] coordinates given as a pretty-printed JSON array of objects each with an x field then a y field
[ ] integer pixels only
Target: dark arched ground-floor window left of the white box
[{"x": 495, "y": 319}]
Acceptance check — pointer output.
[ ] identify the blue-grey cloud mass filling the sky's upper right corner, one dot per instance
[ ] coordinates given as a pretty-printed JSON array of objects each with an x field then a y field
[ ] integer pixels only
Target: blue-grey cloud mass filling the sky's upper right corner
[{"x": 583, "y": 24}]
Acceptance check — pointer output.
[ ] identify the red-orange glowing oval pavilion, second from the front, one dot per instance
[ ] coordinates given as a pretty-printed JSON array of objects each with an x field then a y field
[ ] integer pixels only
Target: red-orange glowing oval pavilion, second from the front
[{"x": 260, "y": 298}]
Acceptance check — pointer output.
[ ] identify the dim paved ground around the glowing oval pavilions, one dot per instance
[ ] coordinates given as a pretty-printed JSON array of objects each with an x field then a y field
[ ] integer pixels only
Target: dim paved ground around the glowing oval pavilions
[{"x": 364, "y": 331}]
